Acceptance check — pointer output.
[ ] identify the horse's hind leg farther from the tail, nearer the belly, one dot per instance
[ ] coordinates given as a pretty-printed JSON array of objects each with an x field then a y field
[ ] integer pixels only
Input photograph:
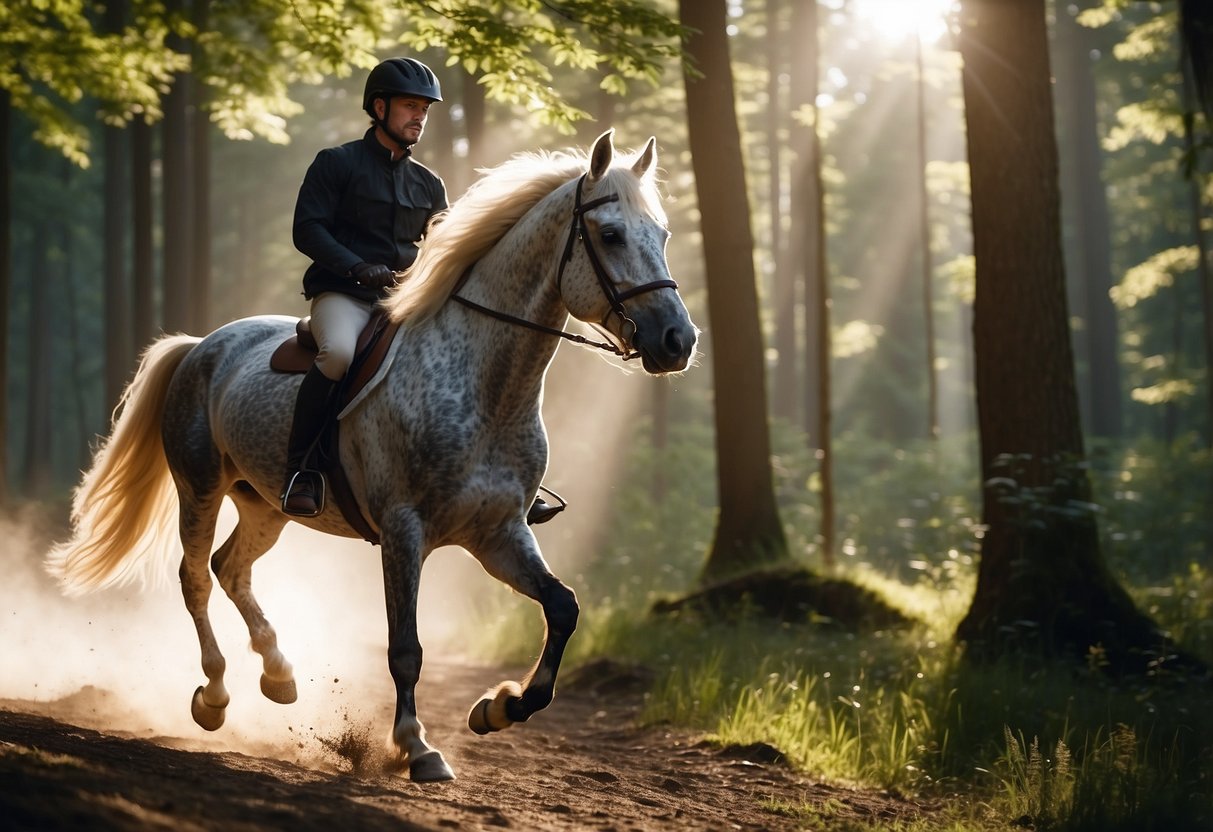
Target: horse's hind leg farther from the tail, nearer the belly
[{"x": 254, "y": 535}]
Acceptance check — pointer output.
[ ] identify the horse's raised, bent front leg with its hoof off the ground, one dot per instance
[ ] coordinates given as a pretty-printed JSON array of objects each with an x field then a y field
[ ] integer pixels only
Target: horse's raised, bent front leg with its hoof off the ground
[{"x": 519, "y": 565}]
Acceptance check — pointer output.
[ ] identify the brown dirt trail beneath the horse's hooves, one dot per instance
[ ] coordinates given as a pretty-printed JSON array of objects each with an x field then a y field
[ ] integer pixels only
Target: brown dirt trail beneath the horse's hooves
[{"x": 582, "y": 765}]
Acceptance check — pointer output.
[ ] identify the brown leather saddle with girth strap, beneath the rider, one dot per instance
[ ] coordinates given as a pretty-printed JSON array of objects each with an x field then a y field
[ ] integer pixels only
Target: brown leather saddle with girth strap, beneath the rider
[{"x": 297, "y": 355}]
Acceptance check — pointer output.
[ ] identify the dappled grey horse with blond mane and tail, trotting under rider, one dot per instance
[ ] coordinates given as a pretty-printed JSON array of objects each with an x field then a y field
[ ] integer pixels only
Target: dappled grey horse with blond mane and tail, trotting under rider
[{"x": 447, "y": 449}]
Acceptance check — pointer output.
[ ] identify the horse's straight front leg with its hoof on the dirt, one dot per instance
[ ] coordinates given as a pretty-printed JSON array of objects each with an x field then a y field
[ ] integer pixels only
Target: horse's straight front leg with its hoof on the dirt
[{"x": 402, "y": 551}]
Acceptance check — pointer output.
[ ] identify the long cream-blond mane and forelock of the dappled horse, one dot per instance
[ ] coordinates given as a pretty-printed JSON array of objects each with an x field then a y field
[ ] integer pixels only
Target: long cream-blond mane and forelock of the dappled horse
[{"x": 491, "y": 208}]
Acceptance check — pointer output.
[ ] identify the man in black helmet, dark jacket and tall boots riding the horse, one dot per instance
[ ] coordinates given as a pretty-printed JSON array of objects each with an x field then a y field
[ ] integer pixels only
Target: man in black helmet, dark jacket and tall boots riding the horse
[{"x": 361, "y": 213}]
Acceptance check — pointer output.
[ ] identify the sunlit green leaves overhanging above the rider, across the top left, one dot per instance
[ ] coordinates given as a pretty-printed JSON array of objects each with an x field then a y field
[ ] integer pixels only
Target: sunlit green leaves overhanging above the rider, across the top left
[{"x": 248, "y": 56}]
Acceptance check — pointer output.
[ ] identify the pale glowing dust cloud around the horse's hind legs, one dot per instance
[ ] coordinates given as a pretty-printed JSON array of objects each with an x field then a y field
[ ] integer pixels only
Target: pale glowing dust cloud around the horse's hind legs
[{"x": 128, "y": 659}]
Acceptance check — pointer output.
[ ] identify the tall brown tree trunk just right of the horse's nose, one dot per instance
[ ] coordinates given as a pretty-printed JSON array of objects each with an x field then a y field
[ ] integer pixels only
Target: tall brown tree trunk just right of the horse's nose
[{"x": 749, "y": 533}]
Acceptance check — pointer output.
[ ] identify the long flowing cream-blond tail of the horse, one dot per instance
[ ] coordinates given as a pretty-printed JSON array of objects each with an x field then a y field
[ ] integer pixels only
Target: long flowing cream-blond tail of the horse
[{"x": 124, "y": 511}]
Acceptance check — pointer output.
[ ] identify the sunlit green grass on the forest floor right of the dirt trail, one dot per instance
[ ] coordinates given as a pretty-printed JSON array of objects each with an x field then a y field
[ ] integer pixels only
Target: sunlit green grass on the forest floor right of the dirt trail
[{"x": 1047, "y": 746}]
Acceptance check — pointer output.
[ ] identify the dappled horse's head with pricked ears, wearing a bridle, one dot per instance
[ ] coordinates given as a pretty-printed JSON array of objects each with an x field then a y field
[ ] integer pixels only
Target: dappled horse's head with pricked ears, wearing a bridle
[{"x": 614, "y": 273}]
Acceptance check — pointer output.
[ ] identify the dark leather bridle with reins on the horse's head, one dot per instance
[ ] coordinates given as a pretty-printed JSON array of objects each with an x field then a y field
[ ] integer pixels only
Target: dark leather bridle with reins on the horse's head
[{"x": 579, "y": 230}]
